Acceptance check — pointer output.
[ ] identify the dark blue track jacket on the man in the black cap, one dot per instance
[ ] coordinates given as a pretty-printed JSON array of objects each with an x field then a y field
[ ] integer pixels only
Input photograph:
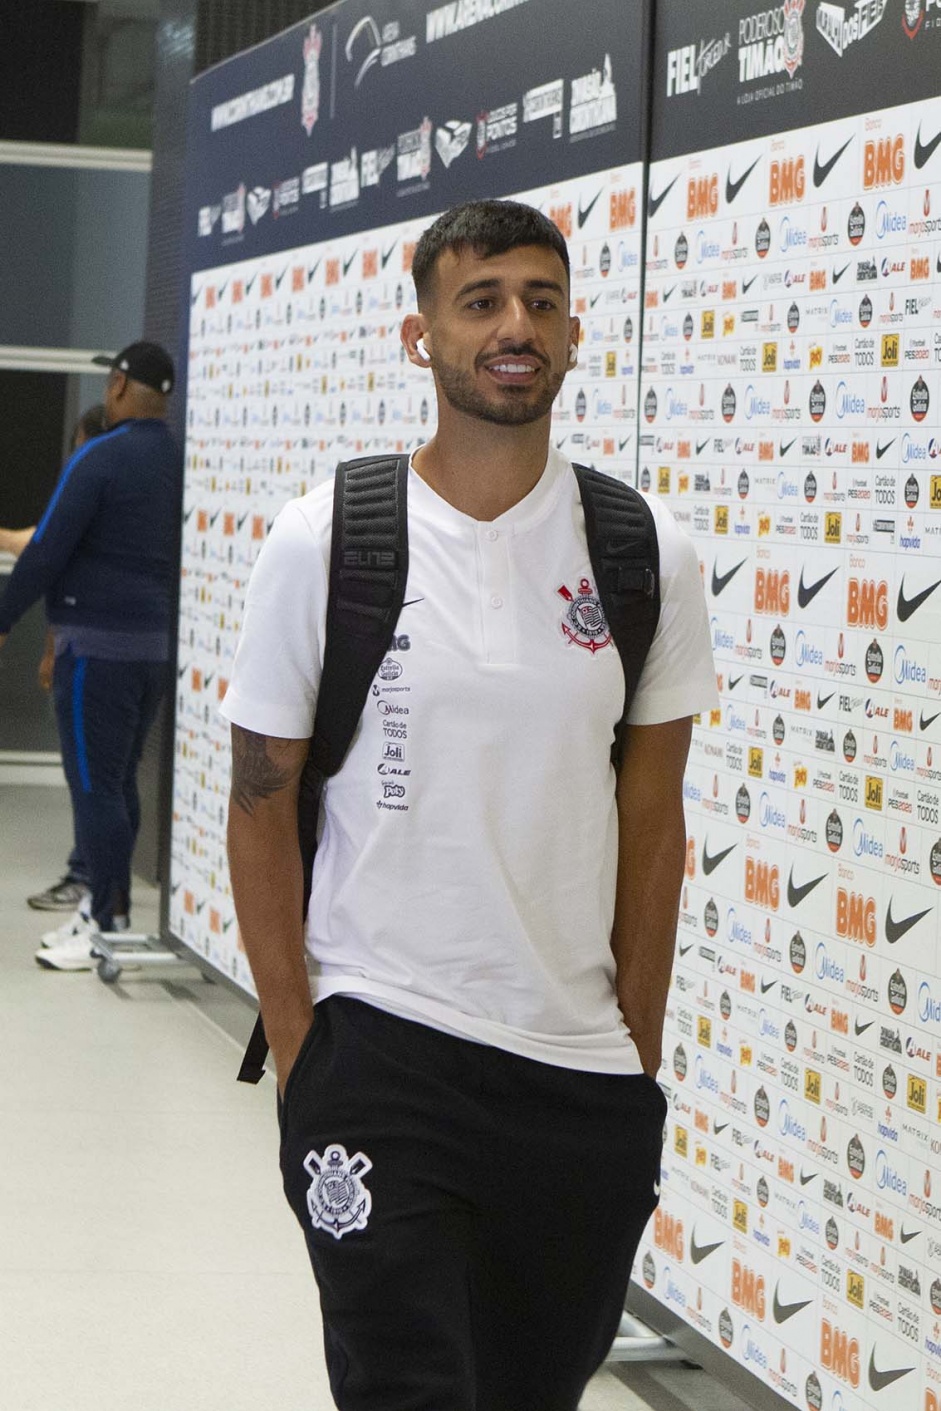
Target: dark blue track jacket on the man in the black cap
[{"x": 104, "y": 551}]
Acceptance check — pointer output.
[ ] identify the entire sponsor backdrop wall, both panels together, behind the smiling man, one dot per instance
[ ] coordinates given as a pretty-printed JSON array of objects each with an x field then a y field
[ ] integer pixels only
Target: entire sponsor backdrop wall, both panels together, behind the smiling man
[{"x": 789, "y": 396}]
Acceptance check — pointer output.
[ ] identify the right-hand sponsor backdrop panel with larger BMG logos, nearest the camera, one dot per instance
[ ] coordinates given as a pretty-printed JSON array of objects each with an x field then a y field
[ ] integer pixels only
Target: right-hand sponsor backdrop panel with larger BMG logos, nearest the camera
[{"x": 791, "y": 414}]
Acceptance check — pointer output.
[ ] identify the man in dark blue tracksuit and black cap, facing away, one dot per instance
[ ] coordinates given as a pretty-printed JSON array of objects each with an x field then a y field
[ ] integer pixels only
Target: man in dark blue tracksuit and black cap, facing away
[{"x": 104, "y": 555}]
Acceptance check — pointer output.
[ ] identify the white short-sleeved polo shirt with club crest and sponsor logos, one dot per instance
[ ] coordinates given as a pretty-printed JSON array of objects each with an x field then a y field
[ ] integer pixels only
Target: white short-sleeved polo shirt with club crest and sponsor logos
[{"x": 466, "y": 873}]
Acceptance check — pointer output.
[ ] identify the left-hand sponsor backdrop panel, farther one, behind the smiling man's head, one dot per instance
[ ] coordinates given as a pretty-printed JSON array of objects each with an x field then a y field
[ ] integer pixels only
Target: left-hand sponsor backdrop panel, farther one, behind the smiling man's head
[{"x": 314, "y": 164}]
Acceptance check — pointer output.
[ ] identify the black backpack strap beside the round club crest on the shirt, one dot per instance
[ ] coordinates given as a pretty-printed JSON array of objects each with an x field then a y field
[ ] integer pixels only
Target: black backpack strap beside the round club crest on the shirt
[{"x": 626, "y": 559}]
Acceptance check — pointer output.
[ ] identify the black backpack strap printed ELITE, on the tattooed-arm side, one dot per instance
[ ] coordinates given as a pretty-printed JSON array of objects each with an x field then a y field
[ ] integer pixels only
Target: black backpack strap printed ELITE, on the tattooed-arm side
[{"x": 369, "y": 571}]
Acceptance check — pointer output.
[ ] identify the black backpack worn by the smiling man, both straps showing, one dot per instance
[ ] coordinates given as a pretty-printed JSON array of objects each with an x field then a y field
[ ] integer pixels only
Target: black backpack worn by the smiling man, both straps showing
[{"x": 369, "y": 571}]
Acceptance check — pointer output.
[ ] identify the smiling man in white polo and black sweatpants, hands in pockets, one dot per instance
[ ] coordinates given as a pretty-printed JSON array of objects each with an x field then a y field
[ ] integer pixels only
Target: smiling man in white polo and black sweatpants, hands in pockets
[{"x": 472, "y": 1131}]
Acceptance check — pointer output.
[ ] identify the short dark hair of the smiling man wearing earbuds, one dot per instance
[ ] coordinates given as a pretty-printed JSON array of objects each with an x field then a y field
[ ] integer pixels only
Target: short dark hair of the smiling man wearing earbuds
[{"x": 489, "y": 228}]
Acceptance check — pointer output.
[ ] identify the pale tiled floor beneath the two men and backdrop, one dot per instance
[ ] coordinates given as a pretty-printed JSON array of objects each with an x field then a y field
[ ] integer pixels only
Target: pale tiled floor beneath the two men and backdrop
[{"x": 147, "y": 1259}]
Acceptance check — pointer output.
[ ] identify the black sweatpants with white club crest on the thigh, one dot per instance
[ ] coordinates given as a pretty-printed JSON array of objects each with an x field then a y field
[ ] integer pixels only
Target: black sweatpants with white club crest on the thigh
[{"x": 472, "y": 1217}]
